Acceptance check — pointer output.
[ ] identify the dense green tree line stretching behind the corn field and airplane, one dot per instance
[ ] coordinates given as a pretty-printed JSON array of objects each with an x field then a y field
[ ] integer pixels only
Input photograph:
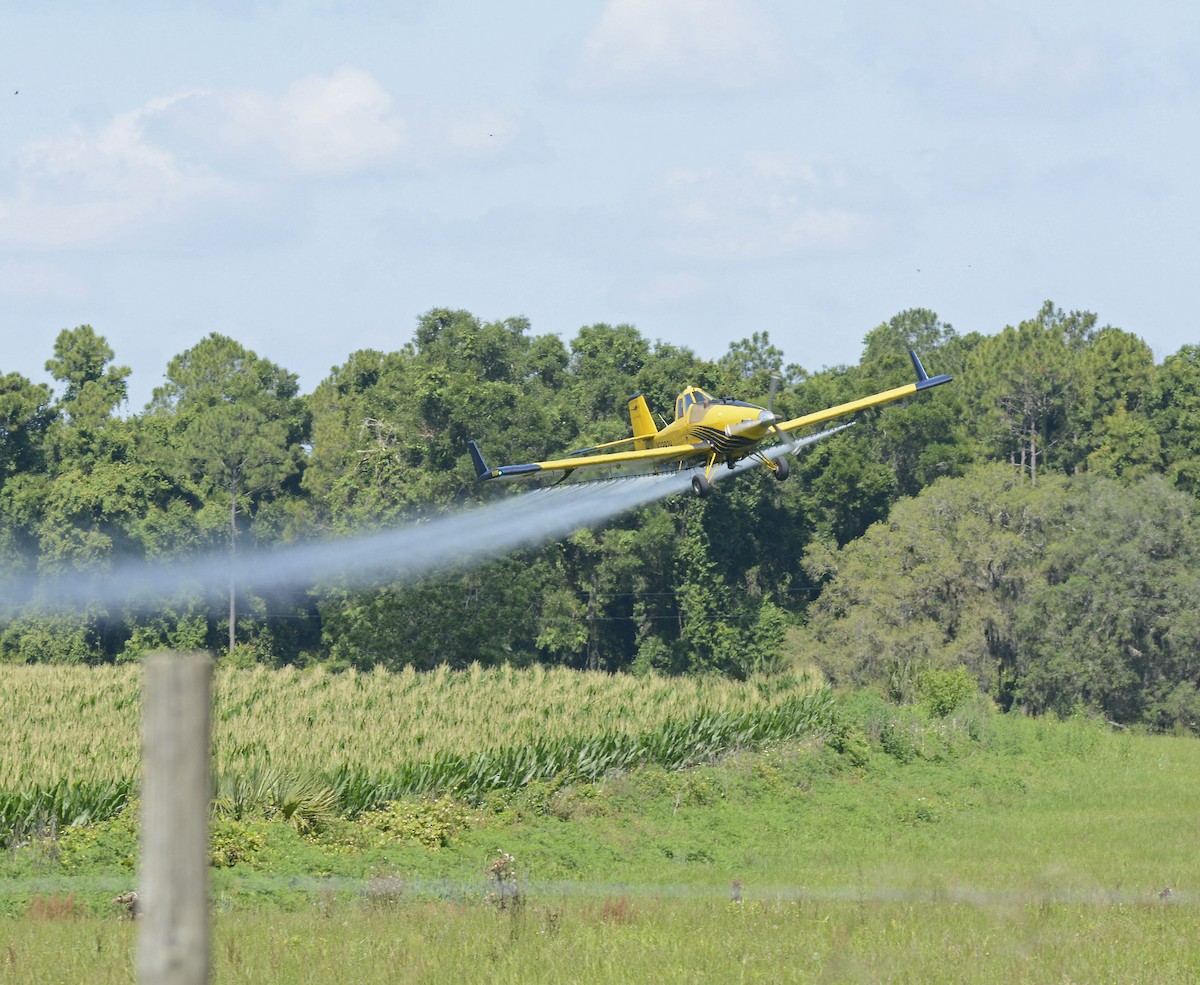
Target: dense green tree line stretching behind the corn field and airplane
[{"x": 230, "y": 455}]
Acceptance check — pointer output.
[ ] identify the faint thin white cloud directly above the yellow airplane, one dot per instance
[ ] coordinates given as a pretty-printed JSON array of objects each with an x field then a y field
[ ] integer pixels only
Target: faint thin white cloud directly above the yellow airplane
[{"x": 767, "y": 208}]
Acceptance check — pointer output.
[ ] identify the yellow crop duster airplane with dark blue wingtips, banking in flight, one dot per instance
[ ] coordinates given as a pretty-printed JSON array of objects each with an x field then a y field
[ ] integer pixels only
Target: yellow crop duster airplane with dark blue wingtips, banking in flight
[{"x": 705, "y": 434}]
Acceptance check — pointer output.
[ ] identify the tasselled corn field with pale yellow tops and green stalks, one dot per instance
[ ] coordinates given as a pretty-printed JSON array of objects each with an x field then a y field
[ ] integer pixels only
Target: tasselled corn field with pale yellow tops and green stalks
[{"x": 361, "y": 740}]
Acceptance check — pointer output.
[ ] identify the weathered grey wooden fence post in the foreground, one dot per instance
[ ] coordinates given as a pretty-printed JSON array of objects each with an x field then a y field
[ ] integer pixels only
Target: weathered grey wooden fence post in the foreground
[{"x": 173, "y": 941}]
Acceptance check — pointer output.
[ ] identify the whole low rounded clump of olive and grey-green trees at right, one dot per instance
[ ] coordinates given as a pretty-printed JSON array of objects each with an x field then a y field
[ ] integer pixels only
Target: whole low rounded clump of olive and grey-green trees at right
[{"x": 1073, "y": 593}]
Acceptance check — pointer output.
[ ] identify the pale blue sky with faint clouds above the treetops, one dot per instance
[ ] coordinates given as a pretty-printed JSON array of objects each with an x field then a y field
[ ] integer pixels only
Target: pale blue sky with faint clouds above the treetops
[{"x": 309, "y": 178}]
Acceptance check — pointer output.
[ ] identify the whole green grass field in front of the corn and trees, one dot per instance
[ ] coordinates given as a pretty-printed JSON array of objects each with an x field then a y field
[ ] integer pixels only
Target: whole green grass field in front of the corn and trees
[{"x": 971, "y": 849}]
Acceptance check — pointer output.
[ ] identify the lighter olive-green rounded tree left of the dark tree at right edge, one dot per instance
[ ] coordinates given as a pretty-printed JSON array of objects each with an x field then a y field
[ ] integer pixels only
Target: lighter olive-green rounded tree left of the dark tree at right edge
[{"x": 934, "y": 586}]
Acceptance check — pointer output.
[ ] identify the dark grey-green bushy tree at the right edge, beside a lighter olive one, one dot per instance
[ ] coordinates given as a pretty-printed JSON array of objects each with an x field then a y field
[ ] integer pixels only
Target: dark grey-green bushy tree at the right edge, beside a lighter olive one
[{"x": 1111, "y": 623}]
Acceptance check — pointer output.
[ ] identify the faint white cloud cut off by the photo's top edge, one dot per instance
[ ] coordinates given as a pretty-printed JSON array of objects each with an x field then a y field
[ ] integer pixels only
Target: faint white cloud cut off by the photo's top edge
[{"x": 716, "y": 44}]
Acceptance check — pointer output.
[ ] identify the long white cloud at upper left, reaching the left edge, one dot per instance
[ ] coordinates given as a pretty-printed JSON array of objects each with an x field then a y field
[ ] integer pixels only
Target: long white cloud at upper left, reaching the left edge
[{"x": 184, "y": 159}]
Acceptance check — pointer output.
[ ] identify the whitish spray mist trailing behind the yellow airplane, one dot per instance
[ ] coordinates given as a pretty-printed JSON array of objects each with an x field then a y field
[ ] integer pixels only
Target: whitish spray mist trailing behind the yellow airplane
[{"x": 401, "y": 555}]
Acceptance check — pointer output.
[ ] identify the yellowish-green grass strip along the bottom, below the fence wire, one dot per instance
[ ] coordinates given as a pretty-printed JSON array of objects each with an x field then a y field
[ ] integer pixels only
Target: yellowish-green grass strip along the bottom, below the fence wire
[{"x": 652, "y": 941}]
